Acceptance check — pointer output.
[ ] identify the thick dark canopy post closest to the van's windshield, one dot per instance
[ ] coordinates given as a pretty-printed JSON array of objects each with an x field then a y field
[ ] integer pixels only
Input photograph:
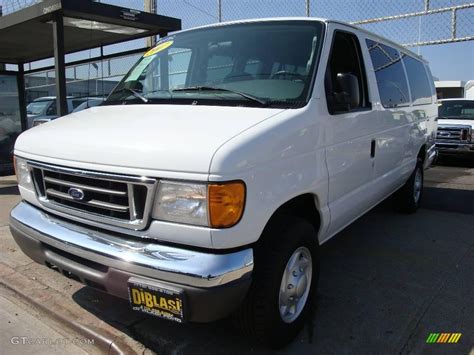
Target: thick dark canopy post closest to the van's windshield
[{"x": 60, "y": 66}]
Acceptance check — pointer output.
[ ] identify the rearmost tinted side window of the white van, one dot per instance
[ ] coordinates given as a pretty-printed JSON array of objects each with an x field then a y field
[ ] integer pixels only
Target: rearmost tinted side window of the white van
[{"x": 420, "y": 87}]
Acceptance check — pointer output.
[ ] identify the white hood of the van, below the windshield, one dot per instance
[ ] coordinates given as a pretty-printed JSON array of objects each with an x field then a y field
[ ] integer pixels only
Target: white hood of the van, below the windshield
[{"x": 180, "y": 138}]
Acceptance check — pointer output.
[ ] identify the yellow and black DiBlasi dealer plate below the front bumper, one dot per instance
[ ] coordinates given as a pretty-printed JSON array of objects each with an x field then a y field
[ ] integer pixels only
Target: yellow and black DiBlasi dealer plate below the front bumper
[{"x": 155, "y": 300}]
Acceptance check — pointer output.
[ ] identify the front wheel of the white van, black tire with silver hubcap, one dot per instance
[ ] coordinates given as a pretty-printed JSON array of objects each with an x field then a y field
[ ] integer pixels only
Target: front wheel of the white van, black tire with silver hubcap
[{"x": 281, "y": 297}]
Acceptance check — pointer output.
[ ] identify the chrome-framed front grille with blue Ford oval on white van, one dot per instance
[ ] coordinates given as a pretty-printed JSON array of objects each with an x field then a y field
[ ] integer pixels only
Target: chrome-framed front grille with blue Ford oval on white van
[{"x": 118, "y": 200}]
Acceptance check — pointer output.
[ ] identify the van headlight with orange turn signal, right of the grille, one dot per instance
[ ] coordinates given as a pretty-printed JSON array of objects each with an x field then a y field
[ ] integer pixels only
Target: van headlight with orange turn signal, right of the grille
[{"x": 214, "y": 205}]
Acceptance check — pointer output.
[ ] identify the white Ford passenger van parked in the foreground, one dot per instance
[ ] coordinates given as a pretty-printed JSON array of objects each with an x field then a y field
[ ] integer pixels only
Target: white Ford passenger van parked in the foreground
[{"x": 206, "y": 182}]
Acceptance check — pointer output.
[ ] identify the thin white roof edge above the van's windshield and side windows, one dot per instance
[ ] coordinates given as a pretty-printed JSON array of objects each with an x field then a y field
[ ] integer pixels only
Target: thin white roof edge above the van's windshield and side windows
[{"x": 311, "y": 19}]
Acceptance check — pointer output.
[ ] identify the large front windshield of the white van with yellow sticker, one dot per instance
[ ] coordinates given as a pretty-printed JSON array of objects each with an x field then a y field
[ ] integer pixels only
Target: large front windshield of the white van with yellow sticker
[{"x": 267, "y": 64}]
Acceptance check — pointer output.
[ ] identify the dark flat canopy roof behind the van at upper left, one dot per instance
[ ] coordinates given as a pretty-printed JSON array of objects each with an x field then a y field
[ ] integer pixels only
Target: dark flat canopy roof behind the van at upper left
[{"x": 28, "y": 35}]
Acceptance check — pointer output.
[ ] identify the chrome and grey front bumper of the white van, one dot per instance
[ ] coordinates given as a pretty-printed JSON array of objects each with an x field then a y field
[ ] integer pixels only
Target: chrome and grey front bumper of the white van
[{"x": 106, "y": 261}]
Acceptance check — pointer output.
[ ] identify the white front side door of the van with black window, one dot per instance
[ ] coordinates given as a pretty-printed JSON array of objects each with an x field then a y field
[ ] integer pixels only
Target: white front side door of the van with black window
[{"x": 351, "y": 132}]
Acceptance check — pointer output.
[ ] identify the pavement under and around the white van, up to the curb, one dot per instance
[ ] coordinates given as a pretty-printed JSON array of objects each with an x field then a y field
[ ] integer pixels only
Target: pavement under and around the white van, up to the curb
[{"x": 386, "y": 282}]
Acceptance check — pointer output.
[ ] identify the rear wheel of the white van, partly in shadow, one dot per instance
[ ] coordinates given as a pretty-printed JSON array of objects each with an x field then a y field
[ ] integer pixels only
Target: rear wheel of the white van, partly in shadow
[{"x": 408, "y": 198}]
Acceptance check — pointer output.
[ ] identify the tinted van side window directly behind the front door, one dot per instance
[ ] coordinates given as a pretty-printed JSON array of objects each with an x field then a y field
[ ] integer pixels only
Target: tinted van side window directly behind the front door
[{"x": 391, "y": 79}]
